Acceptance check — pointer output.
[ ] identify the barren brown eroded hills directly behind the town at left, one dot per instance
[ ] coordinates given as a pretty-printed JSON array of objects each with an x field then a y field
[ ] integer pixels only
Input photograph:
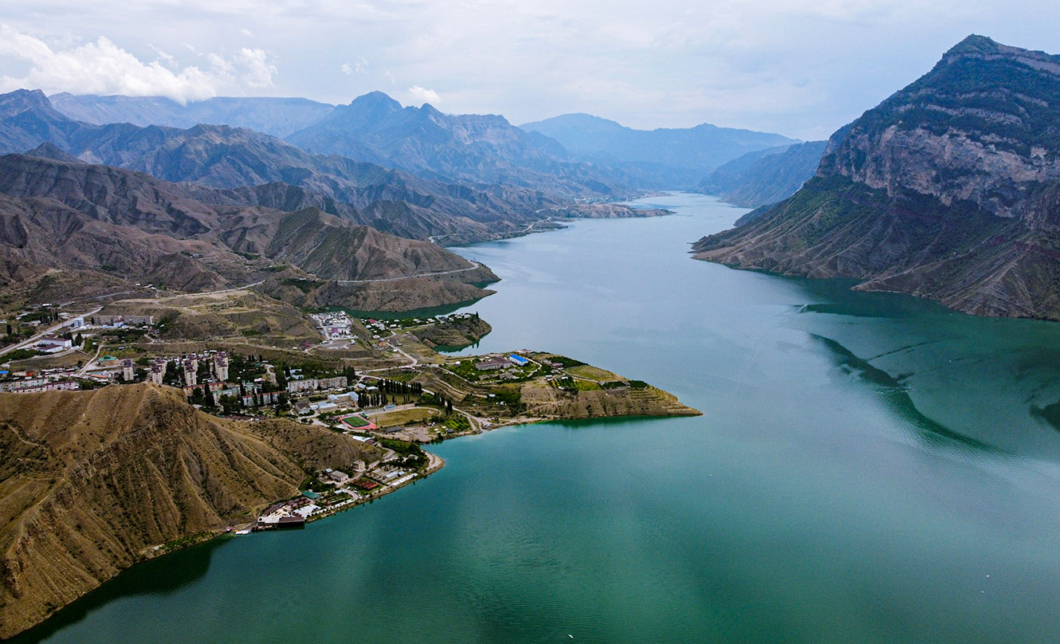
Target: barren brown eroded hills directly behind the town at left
[{"x": 76, "y": 228}]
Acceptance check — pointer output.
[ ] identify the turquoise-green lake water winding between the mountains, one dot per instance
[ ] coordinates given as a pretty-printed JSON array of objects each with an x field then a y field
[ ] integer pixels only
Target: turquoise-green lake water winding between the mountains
[{"x": 870, "y": 469}]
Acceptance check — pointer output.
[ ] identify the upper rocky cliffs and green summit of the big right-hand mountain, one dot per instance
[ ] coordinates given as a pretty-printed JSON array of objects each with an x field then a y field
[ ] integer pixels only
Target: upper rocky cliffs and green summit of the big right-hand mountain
[{"x": 983, "y": 128}]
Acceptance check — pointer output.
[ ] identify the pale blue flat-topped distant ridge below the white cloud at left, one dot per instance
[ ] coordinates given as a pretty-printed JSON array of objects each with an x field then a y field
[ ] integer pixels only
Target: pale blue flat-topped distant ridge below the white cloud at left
[{"x": 277, "y": 117}]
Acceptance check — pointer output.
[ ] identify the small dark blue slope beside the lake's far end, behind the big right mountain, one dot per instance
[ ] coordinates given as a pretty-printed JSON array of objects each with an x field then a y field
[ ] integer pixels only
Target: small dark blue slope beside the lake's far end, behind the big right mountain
[{"x": 766, "y": 177}]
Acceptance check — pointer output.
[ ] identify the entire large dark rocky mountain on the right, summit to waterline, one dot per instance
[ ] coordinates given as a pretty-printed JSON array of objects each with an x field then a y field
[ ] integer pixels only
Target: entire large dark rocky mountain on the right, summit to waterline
[{"x": 948, "y": 190}]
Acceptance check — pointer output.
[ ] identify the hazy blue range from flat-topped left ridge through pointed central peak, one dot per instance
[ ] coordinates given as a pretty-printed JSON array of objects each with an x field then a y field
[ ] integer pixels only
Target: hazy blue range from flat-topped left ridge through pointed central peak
[{"x": 375, "y": 129}]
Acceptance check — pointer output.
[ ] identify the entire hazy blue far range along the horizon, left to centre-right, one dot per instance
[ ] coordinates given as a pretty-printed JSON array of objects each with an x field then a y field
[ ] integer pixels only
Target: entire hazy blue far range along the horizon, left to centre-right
[{"x": 570, "y": 155}]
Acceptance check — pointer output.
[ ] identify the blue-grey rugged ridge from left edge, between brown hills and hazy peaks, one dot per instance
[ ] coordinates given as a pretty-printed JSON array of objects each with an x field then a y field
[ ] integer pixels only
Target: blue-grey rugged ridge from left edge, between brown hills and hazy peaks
[{"x": 278, "y": 175}]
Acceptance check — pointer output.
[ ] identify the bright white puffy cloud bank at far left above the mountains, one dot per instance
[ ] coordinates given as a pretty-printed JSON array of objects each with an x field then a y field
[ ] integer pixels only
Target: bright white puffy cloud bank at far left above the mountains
[{"x": 104, "y": 68}]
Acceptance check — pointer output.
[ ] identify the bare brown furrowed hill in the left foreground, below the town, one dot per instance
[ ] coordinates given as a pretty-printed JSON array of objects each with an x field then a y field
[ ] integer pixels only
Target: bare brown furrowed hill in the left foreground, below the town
[{"x": 92, "y": 481}]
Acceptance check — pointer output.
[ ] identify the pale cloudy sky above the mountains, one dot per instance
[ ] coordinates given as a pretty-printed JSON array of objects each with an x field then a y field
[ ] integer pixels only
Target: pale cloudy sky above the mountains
[{"x": 801, "y": 68}]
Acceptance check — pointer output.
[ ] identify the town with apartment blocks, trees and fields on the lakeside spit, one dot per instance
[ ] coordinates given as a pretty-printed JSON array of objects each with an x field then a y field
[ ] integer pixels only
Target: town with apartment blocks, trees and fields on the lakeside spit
[{"x": 382, "y": 383}]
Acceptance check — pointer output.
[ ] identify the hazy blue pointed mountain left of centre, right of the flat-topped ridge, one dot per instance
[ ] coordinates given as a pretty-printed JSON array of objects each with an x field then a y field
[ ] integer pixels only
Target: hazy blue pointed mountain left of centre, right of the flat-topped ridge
[{"x": 483, "y": 149}]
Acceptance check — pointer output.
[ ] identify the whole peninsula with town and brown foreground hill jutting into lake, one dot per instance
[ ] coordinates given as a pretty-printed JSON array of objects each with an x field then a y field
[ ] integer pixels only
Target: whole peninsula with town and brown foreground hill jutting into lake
[{"x": 154, "y": 426}]
